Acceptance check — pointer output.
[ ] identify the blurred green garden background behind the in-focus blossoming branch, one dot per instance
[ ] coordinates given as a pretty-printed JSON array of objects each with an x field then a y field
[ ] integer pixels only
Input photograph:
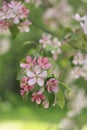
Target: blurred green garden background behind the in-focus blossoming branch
[{"x": 16, "y": 114}]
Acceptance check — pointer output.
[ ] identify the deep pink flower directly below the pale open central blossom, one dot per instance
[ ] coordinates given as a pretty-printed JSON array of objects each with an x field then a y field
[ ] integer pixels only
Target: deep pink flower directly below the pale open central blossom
[{"x": 38, "y": 97}]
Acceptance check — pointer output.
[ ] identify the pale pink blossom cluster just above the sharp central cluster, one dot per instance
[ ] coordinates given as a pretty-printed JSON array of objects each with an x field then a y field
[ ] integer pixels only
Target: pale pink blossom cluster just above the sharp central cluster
[{"x": 55, "y": 44}]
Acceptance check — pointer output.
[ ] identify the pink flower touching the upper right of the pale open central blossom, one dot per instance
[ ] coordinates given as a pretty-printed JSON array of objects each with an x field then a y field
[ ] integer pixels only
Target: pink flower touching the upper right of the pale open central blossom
[{"x": 44, "y": 63}]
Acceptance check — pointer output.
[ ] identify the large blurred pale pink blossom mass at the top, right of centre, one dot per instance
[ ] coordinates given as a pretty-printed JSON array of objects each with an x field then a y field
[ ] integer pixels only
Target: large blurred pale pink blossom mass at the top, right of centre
[{"x": 58, "y": 13}]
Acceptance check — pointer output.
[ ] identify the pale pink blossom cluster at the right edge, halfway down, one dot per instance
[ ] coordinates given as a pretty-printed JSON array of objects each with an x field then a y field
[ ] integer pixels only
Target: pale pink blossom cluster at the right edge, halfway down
[{"x": 80, "y": 69}]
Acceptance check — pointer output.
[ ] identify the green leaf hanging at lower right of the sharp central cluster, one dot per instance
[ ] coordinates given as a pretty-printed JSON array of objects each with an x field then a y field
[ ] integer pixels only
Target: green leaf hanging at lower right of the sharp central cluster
[{"x": 60, "y": 99}]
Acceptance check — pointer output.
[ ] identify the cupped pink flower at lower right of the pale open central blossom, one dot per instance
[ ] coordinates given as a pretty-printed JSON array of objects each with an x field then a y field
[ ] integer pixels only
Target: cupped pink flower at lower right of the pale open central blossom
[{"x": 52, "y": 85}]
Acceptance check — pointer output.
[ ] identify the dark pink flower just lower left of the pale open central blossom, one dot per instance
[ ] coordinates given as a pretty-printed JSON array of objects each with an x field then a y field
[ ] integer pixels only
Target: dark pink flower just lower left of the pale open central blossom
[{"x": 24, "y": 84}]
